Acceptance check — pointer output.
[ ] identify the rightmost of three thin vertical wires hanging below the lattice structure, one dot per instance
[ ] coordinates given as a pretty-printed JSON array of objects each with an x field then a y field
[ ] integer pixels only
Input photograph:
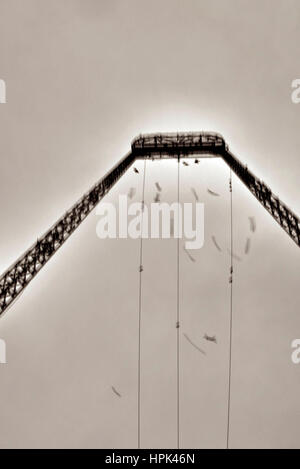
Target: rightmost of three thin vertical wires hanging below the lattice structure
[{"x": 231, "y": 316}]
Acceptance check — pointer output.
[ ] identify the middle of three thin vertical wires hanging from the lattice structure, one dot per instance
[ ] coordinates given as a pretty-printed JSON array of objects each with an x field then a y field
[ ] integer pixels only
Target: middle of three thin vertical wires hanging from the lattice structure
[{"x": 178, "y": 313}]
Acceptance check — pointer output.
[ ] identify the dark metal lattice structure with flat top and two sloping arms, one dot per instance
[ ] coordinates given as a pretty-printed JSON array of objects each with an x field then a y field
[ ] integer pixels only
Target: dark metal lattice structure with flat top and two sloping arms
[{"x": 181, "y": 145}]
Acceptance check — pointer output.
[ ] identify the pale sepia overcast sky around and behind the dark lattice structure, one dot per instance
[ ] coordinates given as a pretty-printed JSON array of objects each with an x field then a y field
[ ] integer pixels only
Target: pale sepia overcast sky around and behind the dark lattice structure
[{"x": 83, "y": 79}]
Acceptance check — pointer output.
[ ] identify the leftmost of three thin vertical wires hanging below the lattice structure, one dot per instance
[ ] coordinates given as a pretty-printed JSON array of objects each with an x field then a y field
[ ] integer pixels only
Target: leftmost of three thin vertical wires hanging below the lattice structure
[{"x": 140, "y": 314}]
